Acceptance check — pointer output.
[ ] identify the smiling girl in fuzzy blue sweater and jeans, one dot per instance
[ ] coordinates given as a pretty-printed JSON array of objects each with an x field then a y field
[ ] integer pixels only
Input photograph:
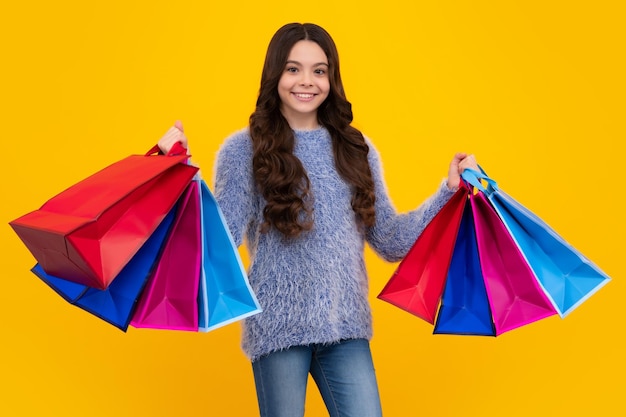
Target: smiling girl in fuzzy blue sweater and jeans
[{"x": 306, "y": 191}]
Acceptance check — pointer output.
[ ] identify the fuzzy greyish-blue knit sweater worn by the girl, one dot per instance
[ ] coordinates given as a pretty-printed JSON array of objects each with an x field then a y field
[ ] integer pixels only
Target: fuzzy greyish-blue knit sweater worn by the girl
[{"x": 313, "y": 288}]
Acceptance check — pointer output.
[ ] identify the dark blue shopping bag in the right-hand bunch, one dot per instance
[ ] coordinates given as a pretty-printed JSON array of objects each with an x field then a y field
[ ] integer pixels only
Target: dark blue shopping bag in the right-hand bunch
[{"x": 464, "y": 308}]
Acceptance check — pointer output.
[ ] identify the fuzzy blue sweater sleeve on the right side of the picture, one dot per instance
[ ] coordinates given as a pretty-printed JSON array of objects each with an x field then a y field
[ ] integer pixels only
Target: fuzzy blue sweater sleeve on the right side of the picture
[{"x": 394, "y": 233}]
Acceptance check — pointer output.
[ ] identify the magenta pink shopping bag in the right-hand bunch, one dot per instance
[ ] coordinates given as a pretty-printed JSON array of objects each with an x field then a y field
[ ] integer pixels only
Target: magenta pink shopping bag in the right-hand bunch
[{"x": 515, "y": 297}]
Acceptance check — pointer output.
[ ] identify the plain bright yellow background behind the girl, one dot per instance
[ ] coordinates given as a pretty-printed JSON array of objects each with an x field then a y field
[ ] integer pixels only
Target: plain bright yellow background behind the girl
[{"x": 534, "y": 88}]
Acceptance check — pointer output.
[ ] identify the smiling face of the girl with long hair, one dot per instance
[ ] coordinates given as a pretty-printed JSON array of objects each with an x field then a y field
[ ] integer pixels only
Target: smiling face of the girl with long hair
[{"x": 304, "y": 85}]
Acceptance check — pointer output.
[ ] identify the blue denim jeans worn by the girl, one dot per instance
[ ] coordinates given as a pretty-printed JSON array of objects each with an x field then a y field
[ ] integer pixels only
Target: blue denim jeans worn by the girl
[{"x": 344, "y": 374}]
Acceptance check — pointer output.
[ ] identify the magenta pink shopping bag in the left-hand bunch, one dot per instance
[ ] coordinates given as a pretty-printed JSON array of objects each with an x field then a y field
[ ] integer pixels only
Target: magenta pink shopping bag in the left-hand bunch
[{"x": 170, "y": 298}]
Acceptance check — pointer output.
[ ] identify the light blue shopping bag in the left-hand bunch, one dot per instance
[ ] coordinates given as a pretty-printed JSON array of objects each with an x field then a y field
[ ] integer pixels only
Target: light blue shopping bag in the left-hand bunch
[{"x": 225, "y": 293}]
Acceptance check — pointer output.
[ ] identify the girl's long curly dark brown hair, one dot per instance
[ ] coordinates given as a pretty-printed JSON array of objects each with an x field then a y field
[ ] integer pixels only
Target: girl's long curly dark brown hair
[{"x": 278, "y": 173}]
